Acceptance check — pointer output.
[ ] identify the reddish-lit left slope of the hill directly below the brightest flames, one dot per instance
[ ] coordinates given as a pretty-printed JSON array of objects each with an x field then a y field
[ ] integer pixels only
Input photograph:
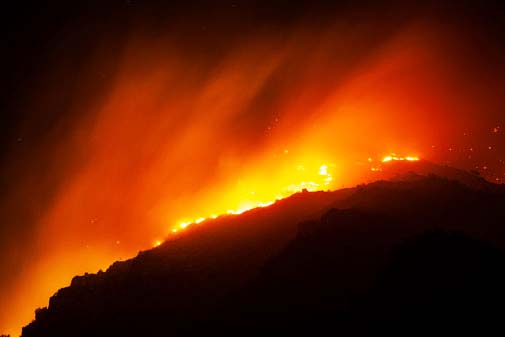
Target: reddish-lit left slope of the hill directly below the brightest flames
[{"x": 180, "y": 281}]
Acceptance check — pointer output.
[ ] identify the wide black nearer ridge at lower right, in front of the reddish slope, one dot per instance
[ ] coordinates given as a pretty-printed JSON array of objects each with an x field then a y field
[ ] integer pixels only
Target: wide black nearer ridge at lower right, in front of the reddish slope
[{"x": 435, "y": 282}]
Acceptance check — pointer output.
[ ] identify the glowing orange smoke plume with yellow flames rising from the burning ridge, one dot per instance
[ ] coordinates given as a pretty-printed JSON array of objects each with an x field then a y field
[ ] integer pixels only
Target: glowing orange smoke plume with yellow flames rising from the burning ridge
[{"x": 175, "y": 138}]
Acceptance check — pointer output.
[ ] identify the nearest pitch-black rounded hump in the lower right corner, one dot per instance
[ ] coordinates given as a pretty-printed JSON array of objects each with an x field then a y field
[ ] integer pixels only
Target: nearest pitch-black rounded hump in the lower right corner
[{"x": 440, "y": 282}]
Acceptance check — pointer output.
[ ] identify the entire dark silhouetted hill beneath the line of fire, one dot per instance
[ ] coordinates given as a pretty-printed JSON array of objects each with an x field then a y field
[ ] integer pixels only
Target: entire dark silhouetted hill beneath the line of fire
[{"x": 418, "y": 255}]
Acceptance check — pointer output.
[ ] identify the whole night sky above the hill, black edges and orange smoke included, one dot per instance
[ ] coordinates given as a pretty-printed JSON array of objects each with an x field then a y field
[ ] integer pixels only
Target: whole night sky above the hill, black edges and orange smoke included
[{"x": 120, "y": 118}]
